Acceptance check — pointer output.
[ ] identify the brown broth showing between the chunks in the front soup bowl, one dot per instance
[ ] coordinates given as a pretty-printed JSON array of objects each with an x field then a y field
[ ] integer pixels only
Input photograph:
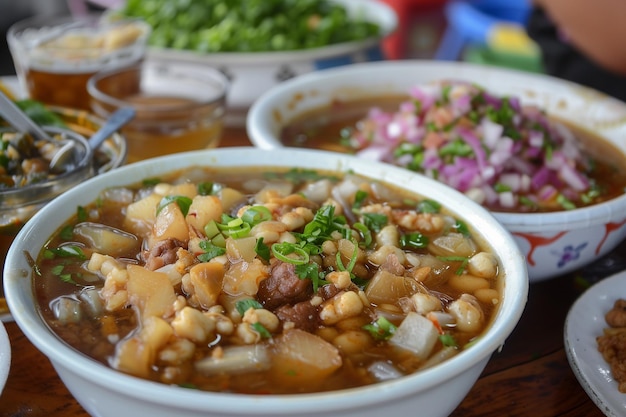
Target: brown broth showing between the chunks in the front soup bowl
[{"x": 89, "y": 335}]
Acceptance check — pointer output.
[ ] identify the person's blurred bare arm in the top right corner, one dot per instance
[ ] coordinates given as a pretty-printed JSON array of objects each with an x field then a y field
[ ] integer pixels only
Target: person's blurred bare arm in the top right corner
[{"x": 596, "y": 27}]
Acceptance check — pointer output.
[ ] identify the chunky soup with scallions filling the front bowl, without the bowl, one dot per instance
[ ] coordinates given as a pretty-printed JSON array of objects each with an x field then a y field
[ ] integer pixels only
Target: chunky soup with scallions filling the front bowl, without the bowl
[{"x": 350, "y": 263}]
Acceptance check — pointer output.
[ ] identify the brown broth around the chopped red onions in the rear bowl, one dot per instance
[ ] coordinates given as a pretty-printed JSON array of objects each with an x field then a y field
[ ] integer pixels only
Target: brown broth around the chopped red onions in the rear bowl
[{"x": 321, "y": 128}]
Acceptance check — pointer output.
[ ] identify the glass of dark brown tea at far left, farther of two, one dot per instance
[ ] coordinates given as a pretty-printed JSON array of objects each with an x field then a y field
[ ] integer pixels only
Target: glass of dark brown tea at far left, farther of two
[{"x": 54, "y": 57}]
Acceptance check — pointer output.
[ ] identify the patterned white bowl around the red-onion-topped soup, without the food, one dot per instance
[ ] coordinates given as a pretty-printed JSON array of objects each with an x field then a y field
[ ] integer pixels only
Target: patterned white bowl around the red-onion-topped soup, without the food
[{"x": 554, "y": 243}]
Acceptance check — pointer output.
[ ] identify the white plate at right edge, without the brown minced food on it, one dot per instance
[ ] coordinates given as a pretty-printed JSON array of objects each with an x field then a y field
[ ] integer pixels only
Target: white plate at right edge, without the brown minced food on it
[{"x": 584, "y": 322}]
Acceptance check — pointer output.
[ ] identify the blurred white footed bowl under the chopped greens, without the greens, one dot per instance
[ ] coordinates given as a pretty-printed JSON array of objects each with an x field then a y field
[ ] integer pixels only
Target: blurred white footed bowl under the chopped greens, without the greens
[{"x": 252, "y": 74}]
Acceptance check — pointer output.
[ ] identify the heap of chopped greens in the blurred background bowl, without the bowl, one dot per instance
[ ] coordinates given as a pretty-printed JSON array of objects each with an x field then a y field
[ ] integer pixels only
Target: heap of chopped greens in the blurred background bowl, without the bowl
[{"x": 248, "y": 25}]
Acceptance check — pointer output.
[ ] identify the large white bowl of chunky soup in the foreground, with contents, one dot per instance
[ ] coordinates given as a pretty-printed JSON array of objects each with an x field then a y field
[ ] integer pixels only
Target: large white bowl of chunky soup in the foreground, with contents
[{"x": 247, "y": 282}]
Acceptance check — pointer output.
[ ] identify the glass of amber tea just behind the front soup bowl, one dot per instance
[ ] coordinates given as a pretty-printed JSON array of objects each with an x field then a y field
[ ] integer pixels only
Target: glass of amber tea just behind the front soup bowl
[{"x": 178, "y": 106}]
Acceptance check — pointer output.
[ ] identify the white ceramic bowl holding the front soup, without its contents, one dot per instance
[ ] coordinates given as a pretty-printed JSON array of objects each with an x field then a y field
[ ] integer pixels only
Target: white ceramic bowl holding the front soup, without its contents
[{"x": 104, "y": 392}]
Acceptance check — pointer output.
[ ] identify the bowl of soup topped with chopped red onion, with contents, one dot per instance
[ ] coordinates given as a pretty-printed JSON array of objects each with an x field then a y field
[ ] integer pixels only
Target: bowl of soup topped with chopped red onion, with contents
[{"x": 544, "y": 155}]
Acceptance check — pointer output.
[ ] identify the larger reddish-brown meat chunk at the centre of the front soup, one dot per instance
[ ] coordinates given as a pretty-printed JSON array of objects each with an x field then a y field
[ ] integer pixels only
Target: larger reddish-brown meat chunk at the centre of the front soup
[{"x": 283, "y": 286}]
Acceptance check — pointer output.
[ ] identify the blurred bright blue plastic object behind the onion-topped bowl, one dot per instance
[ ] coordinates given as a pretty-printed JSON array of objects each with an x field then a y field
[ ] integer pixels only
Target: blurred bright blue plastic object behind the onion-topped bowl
[{"x": 469, "y": 22}]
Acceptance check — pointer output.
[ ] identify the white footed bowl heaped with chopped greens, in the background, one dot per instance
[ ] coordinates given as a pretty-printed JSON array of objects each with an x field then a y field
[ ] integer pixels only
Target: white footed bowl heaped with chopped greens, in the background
[{"x": 257, "y": 45}]
